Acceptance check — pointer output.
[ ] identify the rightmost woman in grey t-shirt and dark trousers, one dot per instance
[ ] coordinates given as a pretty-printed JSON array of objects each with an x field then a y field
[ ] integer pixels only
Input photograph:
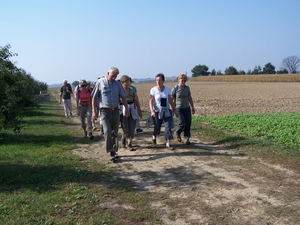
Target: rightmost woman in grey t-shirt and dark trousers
[{"x": 182, "y": 97}]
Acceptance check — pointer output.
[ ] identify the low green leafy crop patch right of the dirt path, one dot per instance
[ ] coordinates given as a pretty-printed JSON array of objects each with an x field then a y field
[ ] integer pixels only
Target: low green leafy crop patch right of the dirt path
[{"x": 275, "y": 134}]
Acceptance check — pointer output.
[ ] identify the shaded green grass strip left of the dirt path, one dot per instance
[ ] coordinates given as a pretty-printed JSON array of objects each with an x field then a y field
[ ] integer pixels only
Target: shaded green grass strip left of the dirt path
[{"x": 41, "y": 182}]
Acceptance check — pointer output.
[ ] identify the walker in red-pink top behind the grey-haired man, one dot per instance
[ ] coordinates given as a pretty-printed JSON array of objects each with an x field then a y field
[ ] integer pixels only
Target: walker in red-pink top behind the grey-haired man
[{"x": 84, "y": 108}]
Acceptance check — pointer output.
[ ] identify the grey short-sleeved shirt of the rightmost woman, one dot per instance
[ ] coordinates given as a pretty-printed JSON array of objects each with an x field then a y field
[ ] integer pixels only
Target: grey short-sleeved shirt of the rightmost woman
[{"x": 181, "y": 96}]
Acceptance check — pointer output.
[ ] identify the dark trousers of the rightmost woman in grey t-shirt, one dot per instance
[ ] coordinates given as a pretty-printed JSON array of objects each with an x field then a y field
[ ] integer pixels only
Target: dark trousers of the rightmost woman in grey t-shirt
[{"x": 184, "y": 121}]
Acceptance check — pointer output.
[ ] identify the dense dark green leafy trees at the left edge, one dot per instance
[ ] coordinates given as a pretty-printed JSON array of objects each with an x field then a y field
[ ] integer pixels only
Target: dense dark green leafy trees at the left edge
[{"x": 17, "y": 88}]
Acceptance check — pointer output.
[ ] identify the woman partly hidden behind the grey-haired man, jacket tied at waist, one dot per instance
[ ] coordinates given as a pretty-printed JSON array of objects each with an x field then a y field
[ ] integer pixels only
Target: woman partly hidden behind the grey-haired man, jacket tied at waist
[{"x": 129, "y": 123}]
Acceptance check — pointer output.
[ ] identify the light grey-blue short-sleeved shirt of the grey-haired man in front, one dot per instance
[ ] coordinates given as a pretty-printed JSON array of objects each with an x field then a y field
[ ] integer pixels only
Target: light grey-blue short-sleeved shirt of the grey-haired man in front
[{"x": 108, "y": 93}]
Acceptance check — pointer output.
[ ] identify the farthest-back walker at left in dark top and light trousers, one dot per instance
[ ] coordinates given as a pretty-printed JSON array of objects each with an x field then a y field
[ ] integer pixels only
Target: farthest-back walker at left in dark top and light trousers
[{"x": 65, "y": 97}]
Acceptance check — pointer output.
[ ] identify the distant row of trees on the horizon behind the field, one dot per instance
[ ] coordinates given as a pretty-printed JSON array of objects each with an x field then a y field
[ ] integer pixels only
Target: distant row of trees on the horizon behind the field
[{"x": 289, "y": 65}]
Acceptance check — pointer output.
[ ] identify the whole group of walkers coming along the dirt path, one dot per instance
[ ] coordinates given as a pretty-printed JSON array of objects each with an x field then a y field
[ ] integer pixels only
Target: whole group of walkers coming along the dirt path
[{"x": 116, "y": 102}]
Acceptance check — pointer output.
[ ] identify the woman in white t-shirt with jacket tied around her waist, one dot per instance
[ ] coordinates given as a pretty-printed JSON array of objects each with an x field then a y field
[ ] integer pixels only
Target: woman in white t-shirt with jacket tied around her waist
[{"x": 160, "y": 103}]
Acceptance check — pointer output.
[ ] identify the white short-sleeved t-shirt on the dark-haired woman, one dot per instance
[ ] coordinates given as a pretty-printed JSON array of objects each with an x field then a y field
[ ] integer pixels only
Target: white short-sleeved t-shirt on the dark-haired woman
[{"x": 160, "y": 98}]
